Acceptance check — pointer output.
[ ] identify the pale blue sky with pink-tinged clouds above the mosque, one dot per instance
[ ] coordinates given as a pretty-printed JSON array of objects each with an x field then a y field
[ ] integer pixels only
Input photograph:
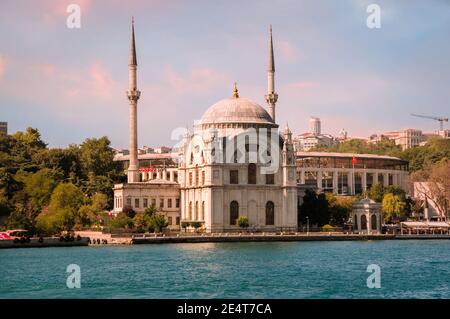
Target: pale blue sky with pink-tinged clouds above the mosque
[{"x": 71, "y": 83}]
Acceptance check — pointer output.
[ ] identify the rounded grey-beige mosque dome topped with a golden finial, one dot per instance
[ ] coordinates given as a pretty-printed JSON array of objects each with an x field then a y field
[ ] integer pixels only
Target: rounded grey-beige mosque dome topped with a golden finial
[{"x": 236, "y": 110}]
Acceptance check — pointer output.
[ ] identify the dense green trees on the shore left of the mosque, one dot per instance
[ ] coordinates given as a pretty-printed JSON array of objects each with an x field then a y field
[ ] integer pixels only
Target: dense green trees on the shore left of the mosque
[{"x": 47, "y": 190}]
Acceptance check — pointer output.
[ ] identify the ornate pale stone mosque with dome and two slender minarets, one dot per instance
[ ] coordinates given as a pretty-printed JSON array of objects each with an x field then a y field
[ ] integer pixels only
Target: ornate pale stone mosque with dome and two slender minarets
[{"x": 234, "y": 163}]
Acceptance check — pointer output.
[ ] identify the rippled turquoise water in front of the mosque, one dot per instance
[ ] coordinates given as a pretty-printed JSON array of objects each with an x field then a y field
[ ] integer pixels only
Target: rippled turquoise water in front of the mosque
[{"x": 409, "y": 269}]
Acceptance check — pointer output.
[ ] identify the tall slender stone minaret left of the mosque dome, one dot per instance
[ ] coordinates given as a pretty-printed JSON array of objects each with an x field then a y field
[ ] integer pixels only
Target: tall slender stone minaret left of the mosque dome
[{"x": 133, "y": 96}]
